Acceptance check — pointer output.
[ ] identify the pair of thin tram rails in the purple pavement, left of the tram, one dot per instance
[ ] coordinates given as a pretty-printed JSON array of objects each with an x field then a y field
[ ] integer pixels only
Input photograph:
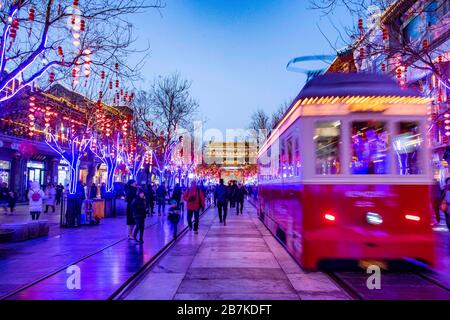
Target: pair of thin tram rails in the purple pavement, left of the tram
[{"x": 60, "y": 269}]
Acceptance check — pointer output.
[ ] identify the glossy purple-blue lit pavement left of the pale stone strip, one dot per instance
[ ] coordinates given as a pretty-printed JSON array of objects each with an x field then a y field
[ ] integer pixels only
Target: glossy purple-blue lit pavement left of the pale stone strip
[{"x": 108, "y": 259}]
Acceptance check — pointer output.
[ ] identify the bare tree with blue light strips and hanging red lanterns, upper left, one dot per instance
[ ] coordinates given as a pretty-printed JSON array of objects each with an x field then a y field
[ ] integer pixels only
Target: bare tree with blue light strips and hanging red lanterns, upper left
[{"x": 65, "y": 40}]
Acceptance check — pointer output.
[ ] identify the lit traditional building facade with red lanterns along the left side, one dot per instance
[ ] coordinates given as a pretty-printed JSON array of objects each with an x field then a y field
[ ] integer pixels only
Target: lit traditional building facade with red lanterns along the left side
[{"x": 24, "y": 154}]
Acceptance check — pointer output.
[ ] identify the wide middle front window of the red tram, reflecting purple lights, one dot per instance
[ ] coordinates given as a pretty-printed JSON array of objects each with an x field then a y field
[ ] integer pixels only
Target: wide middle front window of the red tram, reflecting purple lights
[{"x": 369, "y": 146}]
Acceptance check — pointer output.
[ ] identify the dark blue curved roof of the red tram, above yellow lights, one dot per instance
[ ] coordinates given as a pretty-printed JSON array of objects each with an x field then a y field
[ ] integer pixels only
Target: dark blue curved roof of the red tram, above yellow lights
[{"x": 354, "y": 84}]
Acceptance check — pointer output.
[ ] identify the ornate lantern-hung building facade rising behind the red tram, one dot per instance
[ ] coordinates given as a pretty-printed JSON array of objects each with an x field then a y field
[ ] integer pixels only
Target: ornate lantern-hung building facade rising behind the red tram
[{"x": 411, "y": 42}]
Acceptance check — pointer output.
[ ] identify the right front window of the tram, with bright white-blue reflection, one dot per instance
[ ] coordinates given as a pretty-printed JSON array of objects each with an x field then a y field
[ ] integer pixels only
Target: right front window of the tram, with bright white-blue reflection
[{"x": 407, "y": 148}]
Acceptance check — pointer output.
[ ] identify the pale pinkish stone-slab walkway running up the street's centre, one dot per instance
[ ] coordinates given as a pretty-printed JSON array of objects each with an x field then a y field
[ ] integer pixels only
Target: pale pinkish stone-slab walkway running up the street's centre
[{"x": 239, "y": 261}]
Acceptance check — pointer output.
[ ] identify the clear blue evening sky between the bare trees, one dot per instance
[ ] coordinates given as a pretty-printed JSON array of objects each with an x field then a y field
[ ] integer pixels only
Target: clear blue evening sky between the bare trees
[{"x": 234, "y": 51}]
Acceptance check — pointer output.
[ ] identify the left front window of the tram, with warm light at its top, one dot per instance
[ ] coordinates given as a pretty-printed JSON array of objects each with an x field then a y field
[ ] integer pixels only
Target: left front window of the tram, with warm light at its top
[{"x": 326, "y": 137}]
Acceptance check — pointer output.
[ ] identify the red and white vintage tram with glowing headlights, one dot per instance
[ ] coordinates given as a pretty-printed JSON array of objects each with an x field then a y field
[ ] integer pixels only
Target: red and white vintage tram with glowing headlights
[{"x": 346, "y": 175}]
